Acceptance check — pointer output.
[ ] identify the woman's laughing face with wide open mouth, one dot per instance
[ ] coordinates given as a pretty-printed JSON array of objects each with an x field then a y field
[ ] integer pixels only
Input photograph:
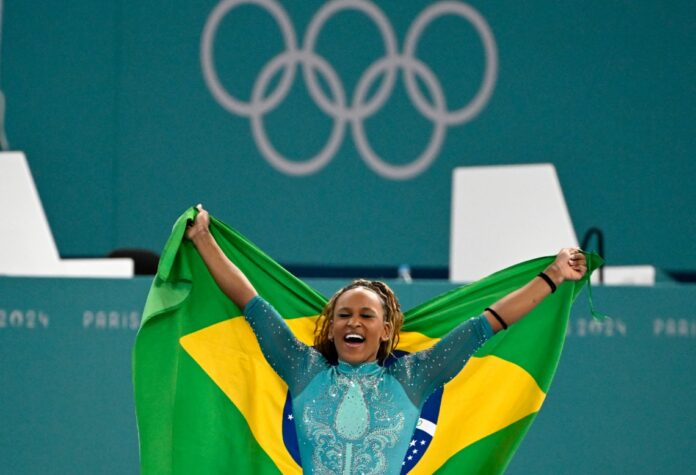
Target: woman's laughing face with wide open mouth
[{"x": 358, "y": 327}]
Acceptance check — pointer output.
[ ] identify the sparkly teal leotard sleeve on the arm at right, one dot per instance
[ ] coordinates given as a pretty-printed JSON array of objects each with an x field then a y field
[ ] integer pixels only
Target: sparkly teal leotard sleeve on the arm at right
[{"x": 422, "y": 372}]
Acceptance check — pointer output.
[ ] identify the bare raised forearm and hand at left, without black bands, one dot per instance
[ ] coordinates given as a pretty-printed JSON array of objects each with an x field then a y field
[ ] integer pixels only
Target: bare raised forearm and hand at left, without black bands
[{"x": 229, "y": 278}]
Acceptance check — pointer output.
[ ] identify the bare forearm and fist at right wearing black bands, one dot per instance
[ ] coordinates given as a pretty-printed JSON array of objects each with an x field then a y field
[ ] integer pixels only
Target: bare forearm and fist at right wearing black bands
[{"x": 570, "y": 264}]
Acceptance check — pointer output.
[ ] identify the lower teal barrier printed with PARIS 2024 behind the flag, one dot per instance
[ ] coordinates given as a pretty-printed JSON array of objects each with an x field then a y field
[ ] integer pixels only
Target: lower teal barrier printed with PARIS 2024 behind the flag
[{"x": 622, "y": 400}]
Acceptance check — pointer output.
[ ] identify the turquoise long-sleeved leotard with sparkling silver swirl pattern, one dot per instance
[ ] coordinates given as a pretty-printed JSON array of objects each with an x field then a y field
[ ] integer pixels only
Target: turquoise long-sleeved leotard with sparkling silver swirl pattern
[{"x": 358, "y": 419}]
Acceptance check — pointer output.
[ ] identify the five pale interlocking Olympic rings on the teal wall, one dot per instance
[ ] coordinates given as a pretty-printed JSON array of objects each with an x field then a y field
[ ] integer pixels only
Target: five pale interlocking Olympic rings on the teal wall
[{"x": 355, "y": 111}]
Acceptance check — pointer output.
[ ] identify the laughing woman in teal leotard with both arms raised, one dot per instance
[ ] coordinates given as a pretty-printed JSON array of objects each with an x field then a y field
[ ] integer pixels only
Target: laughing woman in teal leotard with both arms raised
[{"x": 352, "y": 414}]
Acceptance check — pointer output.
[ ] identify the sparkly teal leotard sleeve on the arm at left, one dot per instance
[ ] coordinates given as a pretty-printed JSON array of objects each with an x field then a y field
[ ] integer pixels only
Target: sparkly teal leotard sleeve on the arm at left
[{"x": 295, "y": 362}]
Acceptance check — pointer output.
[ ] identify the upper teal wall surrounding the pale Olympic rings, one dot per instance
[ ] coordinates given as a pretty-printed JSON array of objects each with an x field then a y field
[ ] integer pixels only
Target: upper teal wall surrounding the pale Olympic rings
[{"x": 108, "y": 101}]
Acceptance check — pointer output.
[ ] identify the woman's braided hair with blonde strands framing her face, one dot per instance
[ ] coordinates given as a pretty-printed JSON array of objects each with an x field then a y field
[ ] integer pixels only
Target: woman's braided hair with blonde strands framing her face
[{"x": 392, "y": 316}]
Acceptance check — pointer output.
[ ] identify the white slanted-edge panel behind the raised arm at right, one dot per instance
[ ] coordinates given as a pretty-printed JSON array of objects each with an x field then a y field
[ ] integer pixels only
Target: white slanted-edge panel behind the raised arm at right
[{"x": 502, "y": 215}]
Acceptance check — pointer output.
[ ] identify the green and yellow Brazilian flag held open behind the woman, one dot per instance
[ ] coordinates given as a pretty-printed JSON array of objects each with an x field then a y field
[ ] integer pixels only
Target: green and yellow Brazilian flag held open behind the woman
[{"x": 208, "y": 402}]
